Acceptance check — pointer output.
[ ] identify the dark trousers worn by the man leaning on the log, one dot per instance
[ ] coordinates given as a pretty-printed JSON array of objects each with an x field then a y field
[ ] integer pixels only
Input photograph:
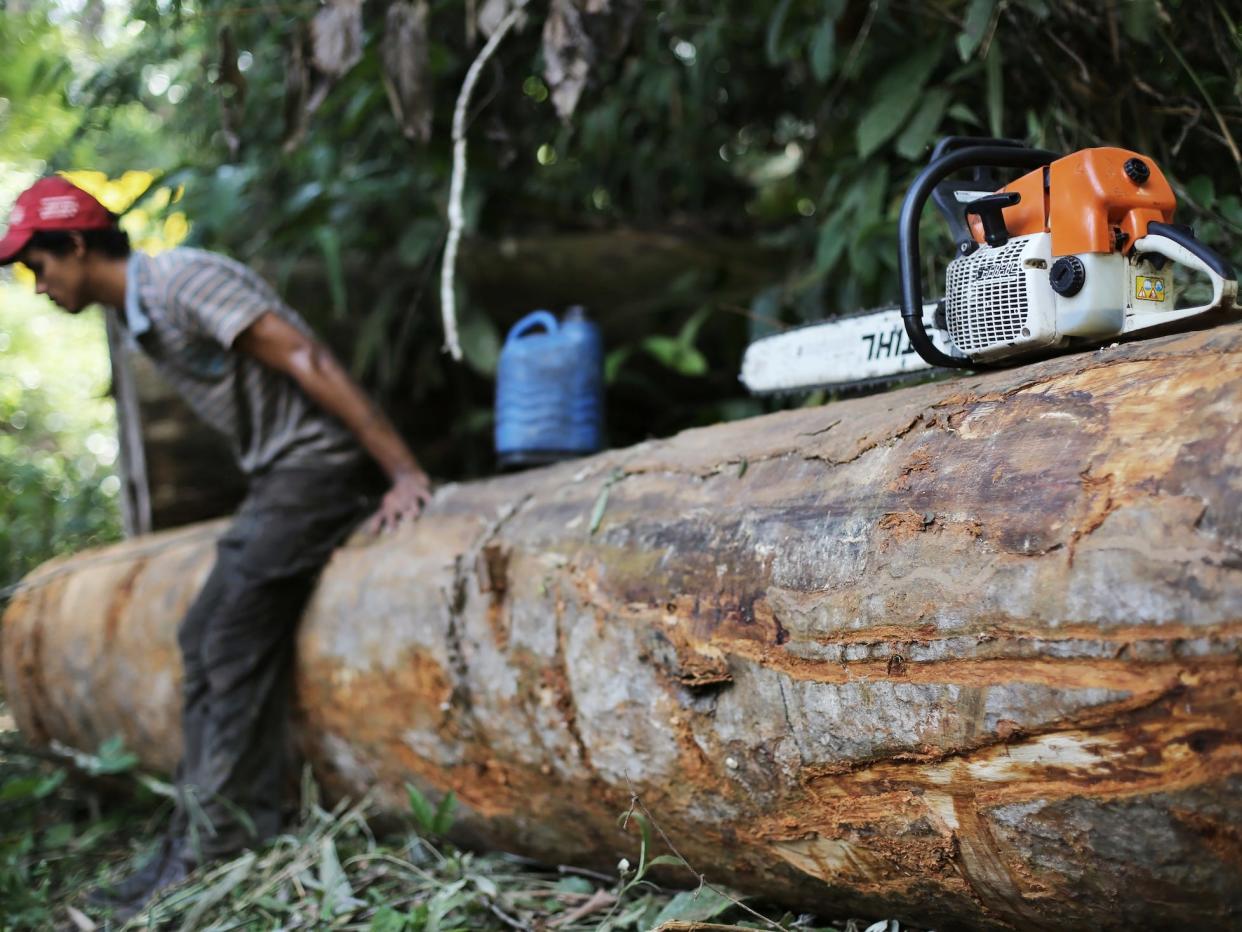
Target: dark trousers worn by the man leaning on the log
[{"x": 238, "y": 649}]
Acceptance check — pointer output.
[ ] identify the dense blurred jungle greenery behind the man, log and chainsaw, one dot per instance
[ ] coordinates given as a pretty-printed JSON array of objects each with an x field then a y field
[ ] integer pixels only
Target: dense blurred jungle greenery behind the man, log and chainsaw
[{"x": 695, "y": 175}]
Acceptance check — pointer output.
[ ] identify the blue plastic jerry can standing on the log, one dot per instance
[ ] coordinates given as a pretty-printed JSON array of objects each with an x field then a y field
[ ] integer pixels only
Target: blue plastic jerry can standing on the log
[{"x": 550, "y": 391}]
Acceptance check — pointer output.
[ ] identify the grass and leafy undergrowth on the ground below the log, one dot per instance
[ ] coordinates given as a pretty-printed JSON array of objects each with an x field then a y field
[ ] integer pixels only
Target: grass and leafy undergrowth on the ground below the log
[{"x": 70, "y": 822}]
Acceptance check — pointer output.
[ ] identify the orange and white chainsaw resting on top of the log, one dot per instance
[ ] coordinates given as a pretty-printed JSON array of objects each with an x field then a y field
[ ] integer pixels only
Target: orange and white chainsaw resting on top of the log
[{"x": 1076, "y": 253}]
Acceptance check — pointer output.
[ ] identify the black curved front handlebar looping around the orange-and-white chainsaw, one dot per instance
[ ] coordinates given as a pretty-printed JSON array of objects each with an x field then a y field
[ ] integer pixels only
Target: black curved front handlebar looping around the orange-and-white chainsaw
[{"x": 909, "y": 232}]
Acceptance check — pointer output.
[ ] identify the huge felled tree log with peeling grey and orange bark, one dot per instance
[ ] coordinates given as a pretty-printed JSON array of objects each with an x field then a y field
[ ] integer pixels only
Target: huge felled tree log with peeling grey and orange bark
[{"x": 967, "y": 653}]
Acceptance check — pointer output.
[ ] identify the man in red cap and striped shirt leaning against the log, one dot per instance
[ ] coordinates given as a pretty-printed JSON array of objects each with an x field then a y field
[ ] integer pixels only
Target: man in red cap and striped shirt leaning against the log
[{"x": 301, "y": 431}]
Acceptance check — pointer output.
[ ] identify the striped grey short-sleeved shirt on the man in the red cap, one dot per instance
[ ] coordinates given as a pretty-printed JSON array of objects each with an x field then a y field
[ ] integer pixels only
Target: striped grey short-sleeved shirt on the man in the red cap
[{"x": 186, "y": 309}]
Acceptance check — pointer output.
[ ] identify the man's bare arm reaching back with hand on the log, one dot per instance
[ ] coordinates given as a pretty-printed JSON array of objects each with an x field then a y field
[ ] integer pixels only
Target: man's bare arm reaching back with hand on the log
[{"x": 279, "y": 345}]
